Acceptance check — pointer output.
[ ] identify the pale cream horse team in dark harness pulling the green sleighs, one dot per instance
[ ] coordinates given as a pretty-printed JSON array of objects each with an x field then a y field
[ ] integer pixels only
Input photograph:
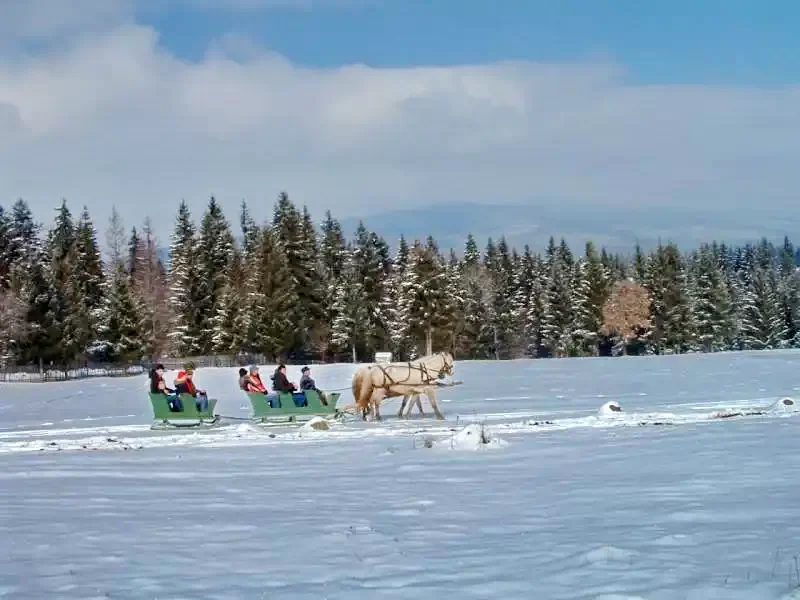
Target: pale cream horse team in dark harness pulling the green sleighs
[{"x": 374, "y": 383}]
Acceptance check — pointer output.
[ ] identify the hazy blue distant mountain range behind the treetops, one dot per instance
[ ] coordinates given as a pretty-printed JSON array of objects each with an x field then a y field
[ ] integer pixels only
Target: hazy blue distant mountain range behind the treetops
[{"x": 617, "y": 230}]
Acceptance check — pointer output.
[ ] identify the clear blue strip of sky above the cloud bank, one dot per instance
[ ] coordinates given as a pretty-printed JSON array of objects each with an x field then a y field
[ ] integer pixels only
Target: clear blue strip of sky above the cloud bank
[{"x": 678, "y": 41}]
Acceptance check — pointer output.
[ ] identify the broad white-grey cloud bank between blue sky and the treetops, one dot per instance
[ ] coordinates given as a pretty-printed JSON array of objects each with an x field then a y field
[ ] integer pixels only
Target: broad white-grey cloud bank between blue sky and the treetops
[{"x": 117, "y": 118}]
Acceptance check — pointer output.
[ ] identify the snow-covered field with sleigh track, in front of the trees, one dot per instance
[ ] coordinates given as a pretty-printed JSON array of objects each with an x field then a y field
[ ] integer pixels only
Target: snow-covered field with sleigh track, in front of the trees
[{"x": 663, "y": 500}]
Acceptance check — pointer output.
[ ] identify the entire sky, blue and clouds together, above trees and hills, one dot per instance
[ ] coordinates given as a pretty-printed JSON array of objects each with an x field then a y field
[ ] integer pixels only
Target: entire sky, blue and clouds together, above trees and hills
[{"x": 368, "y": 106}]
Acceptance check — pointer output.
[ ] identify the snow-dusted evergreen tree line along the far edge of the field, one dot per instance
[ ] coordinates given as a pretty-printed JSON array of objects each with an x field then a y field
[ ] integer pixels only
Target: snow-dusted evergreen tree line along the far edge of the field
[{"x": 290, "y": 290}]
